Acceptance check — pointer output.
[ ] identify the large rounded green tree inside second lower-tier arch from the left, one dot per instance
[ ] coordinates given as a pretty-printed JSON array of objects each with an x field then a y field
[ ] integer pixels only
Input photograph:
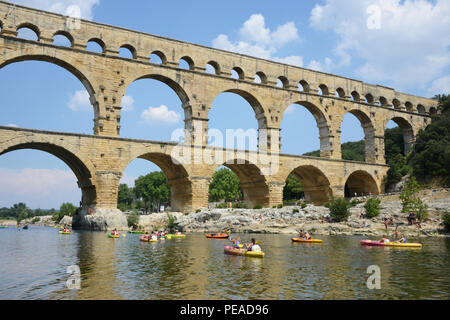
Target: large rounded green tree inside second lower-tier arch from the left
[{"x": 153, "y": 189}]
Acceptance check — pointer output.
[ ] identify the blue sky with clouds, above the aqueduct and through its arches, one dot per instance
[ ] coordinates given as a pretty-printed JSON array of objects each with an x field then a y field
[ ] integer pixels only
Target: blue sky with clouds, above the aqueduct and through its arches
[{"x": 406, "y": 48}]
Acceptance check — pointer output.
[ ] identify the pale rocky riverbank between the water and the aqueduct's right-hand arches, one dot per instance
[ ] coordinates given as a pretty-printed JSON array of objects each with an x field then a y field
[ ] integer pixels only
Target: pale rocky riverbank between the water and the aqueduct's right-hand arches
[{"x": 291, "y": 219}]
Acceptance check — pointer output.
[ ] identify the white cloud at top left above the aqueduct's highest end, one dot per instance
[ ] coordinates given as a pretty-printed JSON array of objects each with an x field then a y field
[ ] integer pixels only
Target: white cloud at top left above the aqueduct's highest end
[{"x": 59, "y": 6}]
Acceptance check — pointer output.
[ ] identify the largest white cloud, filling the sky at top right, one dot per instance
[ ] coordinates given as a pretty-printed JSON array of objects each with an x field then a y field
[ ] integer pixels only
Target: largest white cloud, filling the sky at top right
[{"x": 404, "y": 44}]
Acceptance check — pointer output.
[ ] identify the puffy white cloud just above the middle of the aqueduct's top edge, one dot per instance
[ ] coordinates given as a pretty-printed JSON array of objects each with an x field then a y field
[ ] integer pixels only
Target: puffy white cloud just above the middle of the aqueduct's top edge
[{"x": 255, "y": 39}]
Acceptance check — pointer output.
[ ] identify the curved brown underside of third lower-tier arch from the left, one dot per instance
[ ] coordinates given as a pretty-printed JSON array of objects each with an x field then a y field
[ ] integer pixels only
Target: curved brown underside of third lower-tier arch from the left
[{"x": 254, "y": 184}]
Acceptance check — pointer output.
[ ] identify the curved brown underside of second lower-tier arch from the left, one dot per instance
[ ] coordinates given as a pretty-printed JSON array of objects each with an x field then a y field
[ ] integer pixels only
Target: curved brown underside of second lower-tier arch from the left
[{"x": 181, "y": 192}]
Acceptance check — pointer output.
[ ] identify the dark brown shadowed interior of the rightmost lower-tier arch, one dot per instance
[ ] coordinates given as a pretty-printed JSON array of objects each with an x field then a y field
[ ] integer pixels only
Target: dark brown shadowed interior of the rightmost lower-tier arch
[{"x": 360, "y": 183}]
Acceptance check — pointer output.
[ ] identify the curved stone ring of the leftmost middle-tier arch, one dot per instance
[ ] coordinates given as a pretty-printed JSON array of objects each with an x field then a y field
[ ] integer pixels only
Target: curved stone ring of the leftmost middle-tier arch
[{"x": 87, "y": 83}]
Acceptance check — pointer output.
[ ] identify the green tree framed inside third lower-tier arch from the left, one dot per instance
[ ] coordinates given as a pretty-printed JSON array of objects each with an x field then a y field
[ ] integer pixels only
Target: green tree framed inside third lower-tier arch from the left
[{"x": 225, "y": 185}]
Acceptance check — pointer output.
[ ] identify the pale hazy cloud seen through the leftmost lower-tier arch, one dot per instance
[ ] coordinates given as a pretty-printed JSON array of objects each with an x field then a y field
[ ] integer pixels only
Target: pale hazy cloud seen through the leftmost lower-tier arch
[{"x": 43, "y": 188}]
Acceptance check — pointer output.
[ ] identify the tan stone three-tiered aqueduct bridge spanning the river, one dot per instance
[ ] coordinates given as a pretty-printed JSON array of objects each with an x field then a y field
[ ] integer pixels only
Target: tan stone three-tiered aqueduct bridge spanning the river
[{"x": 98, "y": 160}]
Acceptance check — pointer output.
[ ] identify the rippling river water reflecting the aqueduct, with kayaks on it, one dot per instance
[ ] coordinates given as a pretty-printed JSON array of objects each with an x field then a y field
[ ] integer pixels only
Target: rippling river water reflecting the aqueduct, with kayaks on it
[{"x": 33, "y": 265}]
